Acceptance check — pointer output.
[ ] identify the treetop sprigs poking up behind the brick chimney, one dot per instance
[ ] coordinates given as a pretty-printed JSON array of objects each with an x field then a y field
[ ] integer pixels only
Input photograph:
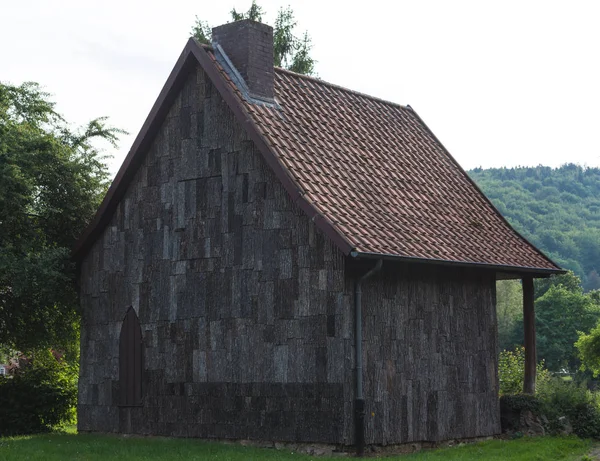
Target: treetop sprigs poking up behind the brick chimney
[{"x": 289, "y": 51}]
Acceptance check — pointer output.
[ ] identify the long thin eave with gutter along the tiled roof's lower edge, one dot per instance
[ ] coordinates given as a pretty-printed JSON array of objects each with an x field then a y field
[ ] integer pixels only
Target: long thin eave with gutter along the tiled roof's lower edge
[{"x": 536, "y": 272}]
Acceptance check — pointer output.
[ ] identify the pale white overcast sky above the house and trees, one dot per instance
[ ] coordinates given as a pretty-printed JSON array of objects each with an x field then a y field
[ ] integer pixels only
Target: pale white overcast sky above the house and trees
[{"x": 501, "y": 83}]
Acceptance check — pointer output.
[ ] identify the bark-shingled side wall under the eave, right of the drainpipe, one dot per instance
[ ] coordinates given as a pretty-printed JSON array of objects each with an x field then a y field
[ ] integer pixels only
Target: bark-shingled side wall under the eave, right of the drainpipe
[{"x": 430, "y": 355}]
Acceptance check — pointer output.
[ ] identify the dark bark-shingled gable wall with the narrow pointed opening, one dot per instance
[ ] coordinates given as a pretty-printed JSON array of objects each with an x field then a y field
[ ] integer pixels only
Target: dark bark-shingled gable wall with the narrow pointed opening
[{"x": 245, "y": 316}]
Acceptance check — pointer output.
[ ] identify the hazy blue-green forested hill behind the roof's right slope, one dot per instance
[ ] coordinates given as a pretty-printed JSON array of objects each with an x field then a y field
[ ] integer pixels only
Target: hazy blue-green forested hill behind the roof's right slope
[{"x": 557, "y": 209}]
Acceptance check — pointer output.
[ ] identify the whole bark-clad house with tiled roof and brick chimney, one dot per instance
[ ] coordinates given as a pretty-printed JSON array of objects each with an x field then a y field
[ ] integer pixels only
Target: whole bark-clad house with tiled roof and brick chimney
[{"x": 220, "y": 278}]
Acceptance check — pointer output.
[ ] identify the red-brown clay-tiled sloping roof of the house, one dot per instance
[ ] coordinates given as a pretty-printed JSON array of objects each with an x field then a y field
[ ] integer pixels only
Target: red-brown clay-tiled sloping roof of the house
[{"x": 372, "y": 174}]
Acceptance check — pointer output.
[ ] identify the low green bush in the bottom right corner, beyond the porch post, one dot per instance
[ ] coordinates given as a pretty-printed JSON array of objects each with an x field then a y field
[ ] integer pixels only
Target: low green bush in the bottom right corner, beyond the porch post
[{"x": 576, "y": 402}]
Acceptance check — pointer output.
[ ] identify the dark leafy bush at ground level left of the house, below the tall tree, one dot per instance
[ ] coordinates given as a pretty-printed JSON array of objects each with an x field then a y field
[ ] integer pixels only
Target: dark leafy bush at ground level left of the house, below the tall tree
[{"x": 40, "y": 395}]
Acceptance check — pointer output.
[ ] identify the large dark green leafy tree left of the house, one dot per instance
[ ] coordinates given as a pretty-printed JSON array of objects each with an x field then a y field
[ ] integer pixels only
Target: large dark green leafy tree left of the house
[{"x": 52, "y": 180}]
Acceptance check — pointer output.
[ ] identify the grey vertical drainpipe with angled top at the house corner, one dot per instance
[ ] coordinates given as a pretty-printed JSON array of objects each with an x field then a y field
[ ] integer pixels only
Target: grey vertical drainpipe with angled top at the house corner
[{"x": 359, "y": 400}]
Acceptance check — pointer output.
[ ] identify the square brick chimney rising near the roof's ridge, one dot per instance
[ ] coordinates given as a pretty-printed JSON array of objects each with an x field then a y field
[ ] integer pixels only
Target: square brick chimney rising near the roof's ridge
[{"x": 249, "y": 46}]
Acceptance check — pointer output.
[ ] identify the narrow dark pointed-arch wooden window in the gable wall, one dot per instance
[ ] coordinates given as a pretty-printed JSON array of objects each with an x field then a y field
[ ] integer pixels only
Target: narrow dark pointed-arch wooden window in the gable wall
[{"x": 130, "y": 360}]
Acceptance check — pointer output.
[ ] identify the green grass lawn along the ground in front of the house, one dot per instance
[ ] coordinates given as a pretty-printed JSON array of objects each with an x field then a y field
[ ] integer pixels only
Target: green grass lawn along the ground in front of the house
[{"x": 70, "y": 446}]
